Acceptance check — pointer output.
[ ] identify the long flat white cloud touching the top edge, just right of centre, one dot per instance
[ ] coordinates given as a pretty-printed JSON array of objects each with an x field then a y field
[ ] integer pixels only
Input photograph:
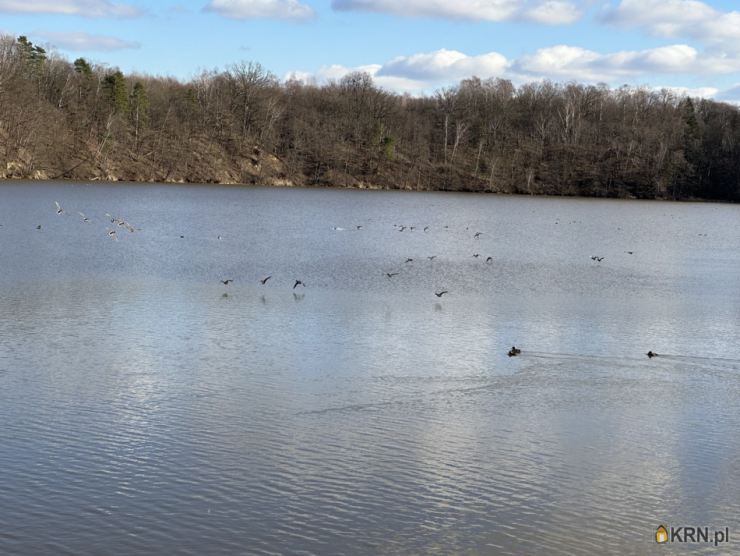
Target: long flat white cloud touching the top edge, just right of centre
[{"x": 549, "y": 12}]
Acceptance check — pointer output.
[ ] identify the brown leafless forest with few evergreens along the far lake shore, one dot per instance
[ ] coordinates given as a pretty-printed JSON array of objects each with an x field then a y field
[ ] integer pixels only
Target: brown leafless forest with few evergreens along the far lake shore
[{"x": 79, "y": 120}]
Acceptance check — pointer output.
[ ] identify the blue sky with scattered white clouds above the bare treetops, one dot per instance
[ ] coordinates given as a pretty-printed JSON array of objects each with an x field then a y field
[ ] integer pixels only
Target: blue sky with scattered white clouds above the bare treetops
[{"x": 413, "y": 46}]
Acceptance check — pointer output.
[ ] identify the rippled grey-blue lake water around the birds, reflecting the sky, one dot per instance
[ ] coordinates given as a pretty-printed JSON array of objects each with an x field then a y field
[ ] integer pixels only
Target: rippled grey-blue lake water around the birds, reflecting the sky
[{"x": 147, "y": 408}]
